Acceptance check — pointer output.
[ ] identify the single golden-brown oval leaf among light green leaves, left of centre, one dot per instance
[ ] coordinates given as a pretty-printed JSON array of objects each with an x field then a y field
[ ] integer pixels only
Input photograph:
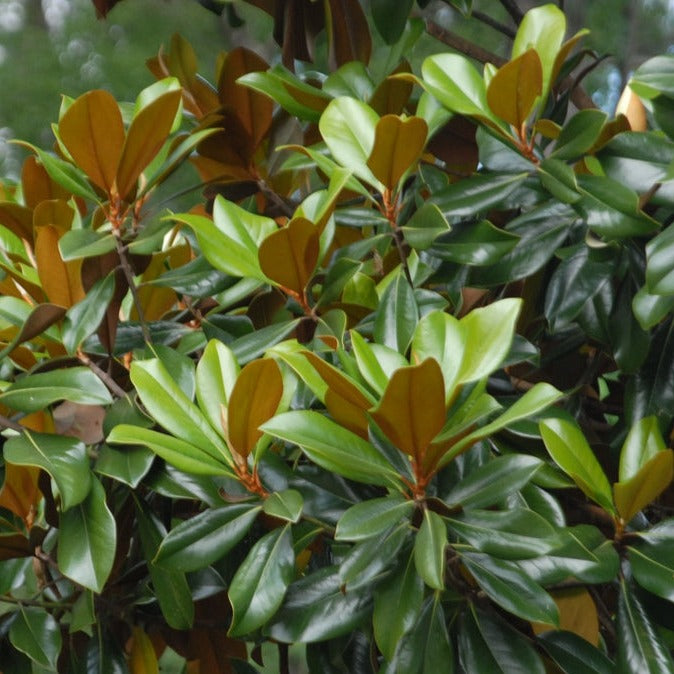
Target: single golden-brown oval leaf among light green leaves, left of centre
[{"x": 254, "y": 399}]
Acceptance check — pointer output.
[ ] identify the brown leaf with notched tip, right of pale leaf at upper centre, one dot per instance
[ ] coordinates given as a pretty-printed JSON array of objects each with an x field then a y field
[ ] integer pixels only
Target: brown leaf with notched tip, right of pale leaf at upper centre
[{"x": 398, "y": 144}]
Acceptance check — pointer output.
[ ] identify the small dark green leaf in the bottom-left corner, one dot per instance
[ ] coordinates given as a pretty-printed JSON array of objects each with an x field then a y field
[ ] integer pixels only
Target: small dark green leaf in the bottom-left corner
[{"x": 37, "y": 634}]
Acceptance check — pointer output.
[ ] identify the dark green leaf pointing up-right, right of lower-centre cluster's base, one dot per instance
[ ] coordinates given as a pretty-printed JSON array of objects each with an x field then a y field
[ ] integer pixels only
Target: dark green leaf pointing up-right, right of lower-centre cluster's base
[{"x": 494, "y": 481}]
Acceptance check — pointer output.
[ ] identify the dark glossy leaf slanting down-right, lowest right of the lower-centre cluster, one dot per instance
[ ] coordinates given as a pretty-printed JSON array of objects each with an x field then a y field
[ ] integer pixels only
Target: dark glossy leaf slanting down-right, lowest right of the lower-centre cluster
[{"x": 511, "y": 589}]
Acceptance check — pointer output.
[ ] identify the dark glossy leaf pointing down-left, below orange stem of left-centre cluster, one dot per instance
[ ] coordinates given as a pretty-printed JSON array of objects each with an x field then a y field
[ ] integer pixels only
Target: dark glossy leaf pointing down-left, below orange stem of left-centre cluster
[{"x": 206, "y": 537}]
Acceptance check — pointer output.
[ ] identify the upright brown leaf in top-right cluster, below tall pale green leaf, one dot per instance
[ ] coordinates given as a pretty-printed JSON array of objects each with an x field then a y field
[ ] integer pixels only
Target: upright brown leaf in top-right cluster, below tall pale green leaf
[{"x": 514, "y": 88}]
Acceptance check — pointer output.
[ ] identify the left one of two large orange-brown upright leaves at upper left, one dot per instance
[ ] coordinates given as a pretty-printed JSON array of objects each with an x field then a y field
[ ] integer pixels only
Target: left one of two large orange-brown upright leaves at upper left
[{"x": 93, "y": 132}]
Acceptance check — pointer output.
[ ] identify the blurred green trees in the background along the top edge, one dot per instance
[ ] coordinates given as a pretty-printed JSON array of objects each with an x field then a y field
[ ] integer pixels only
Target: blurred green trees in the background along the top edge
[{"x": 54, "y": 47}]
